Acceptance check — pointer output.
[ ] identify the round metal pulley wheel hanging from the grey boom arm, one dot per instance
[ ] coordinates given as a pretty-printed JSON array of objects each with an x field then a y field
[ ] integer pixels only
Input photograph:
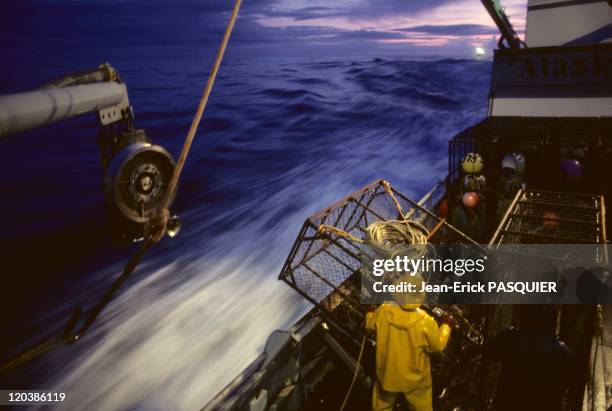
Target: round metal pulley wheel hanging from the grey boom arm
[{"x": 137, "y": 179}]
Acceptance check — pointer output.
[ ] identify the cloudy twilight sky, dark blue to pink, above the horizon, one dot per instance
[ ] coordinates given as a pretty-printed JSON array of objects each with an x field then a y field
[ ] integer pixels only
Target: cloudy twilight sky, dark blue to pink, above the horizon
[{"x": 413, "y": 26}]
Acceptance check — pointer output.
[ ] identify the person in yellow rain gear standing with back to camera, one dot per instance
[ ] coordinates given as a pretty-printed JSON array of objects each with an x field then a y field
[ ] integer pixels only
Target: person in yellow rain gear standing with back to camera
[{"x": 405, "y": 337}]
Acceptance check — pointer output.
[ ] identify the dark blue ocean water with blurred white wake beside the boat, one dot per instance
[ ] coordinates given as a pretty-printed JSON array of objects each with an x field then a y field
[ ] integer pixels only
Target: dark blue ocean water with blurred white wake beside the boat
[{"x": 281, "y": 138}]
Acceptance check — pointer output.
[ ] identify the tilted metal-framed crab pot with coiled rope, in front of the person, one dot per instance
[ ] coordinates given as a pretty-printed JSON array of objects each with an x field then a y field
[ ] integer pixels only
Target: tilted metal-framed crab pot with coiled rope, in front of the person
[{"x": 329, "y": 256}]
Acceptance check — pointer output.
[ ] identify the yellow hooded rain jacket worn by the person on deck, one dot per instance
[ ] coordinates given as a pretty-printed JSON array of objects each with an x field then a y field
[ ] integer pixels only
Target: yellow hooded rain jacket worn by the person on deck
[{"x": 405, "y": 336}]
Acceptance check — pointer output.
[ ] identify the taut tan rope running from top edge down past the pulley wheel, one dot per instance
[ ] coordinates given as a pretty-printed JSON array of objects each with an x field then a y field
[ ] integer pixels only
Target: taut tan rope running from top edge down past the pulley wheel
[{"x": 158, "y": 223}]
